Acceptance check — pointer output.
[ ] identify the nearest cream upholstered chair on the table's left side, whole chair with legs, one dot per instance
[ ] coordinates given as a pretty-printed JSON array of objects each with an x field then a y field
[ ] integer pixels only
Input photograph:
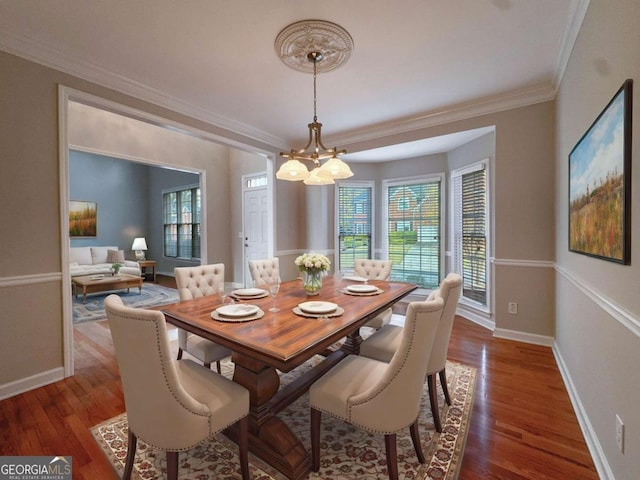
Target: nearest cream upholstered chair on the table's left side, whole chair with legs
[{"x": 171, "y": 405}]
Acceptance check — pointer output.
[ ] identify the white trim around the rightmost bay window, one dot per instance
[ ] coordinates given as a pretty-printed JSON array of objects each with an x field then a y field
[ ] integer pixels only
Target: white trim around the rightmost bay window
[{"x": 459, "y": 172}]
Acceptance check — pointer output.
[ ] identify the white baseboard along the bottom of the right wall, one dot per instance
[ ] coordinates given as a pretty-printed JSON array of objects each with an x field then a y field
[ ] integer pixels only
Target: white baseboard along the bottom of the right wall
[{"x": 589, "y": 434}]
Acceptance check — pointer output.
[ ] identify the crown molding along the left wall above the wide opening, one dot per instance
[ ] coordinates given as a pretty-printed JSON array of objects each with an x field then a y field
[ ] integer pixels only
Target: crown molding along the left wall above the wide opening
[{"x": 48, "y": 56}]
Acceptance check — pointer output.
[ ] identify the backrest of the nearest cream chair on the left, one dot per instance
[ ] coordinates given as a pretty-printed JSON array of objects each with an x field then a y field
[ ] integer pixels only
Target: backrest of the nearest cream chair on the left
[{"x": 159, "y": 410}]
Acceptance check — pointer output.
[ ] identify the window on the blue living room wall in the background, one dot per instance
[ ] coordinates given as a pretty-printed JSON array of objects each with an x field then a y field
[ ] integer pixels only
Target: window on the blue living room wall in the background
[{"x": 181, "y": 213}]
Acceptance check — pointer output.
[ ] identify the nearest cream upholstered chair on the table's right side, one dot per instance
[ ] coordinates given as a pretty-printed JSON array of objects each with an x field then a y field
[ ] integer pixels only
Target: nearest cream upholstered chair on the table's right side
[{"x": 377, "y": 396}]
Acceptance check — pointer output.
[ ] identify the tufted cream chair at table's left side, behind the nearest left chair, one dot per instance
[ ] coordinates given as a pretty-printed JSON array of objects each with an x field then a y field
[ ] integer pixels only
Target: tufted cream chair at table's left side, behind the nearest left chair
[{"x": 194, "y": 282}]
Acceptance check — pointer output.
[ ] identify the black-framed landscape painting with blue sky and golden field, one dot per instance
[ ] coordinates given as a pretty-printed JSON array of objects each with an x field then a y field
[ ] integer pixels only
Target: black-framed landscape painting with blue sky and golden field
[{"x": 600, "y": 184}]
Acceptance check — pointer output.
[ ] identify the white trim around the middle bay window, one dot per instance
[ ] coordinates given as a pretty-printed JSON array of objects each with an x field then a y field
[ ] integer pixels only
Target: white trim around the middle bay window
[{"x": 429, "y": 178}]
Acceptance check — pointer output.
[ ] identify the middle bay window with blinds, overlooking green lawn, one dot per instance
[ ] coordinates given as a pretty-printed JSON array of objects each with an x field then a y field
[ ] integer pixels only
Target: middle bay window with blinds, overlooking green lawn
[{"x": 413, "y": 223}]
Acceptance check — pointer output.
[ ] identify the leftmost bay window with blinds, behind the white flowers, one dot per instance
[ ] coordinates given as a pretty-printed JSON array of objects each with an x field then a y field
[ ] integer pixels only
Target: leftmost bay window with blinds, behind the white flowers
[{"x": 354, "y": 217}]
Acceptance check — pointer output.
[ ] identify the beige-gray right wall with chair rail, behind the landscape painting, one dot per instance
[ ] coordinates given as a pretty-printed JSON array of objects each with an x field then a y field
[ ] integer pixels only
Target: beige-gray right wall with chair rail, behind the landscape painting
[{"x": 598, "y": 302}]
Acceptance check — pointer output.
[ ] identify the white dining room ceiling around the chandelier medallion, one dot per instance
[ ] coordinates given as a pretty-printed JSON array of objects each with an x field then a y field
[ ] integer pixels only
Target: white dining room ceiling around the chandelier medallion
[{"x": 415, "y": 63}]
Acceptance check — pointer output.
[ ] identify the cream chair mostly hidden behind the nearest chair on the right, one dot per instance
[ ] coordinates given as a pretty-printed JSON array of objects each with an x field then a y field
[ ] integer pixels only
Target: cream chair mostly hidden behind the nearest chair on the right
[{"x": 383, "y": 343}]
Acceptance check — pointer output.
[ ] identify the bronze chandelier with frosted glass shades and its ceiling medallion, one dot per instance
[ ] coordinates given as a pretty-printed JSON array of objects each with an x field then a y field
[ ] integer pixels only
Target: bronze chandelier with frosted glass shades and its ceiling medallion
[{"x": 317, "y": 46}]
